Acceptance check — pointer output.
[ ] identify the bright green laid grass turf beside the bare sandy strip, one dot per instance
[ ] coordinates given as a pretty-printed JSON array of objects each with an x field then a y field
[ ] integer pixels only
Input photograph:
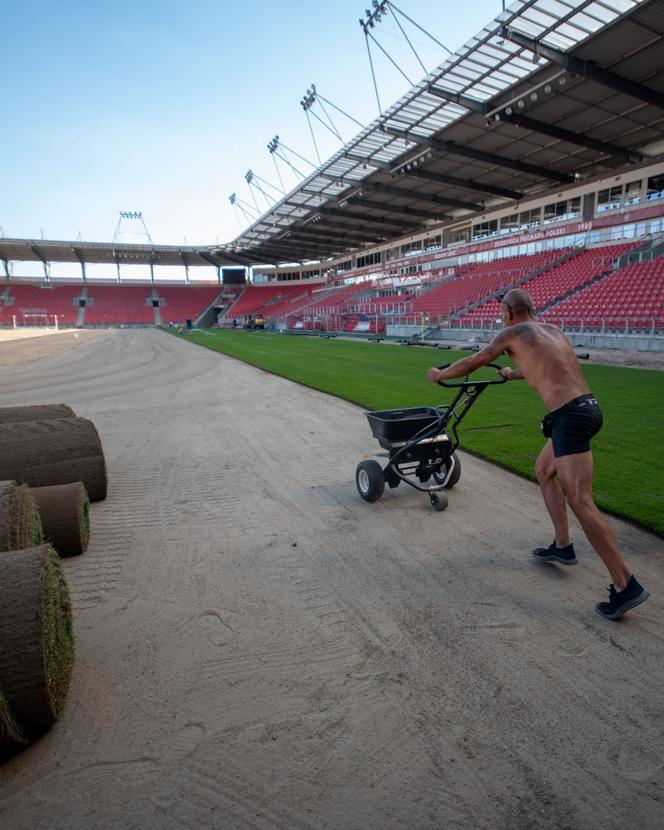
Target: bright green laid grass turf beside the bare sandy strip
[{"x": 503, "y": 425}]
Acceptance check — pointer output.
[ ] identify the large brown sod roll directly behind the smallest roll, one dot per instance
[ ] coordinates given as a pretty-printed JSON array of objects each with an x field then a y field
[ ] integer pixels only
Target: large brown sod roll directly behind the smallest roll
[{"x": 54, "y": 451}]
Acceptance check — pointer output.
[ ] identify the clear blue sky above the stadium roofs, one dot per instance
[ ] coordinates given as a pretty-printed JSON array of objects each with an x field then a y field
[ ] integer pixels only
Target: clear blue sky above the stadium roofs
[{"x": 163, "y": 106}]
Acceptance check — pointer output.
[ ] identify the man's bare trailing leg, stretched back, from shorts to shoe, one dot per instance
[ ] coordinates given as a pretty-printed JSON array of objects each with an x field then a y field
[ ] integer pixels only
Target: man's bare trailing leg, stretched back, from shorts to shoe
[{"x": 576, "y": 474}]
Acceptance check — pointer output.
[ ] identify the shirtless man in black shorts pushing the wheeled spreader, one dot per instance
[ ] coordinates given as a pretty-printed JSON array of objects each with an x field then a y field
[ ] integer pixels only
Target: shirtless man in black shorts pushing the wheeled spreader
[{"x": 545, "y": 359}]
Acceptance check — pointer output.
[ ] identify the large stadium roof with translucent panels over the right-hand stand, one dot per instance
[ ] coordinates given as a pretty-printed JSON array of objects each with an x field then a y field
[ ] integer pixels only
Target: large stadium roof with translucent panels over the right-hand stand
[{"x": 550, "y": 93}]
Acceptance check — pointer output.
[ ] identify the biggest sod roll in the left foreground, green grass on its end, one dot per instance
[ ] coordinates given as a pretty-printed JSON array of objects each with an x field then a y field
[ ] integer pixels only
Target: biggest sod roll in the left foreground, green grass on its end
[{"x": 36, "y": 637}]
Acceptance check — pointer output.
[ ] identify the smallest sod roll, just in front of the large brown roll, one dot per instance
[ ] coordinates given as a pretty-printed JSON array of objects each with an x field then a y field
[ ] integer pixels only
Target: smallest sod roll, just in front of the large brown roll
[{"x": 64, "y": 513}]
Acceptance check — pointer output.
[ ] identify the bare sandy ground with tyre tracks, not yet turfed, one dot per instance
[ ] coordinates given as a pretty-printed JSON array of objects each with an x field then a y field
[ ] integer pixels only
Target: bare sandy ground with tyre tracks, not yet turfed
[{"x": 259, "y": 648}]
